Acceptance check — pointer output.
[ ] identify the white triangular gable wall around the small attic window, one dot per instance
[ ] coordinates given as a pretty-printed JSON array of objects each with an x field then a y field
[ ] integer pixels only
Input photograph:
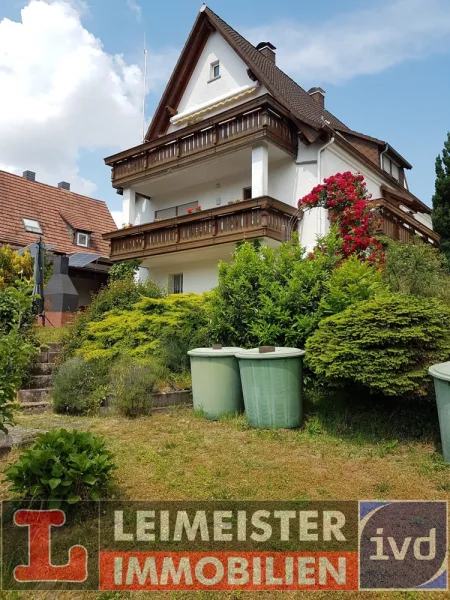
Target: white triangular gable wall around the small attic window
[{"x": 233, "y": 76}]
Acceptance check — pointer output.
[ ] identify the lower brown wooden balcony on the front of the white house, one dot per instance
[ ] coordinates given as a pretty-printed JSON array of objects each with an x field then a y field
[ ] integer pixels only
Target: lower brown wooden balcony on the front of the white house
[{"x": 247, "y": 220}]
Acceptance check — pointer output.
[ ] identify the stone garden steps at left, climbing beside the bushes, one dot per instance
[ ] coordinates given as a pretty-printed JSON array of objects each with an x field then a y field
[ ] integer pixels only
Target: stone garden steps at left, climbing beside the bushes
[{"x": 36, "y": 397}]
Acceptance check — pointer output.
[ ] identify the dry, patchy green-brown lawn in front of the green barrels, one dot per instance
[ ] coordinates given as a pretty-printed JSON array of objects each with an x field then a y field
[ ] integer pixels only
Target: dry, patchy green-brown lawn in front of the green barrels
[{"x": 339, "y": 454}]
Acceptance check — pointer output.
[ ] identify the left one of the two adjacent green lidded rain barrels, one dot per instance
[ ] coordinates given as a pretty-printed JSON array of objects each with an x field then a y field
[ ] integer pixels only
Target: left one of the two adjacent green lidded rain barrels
[{"x": 216, "y": 384}]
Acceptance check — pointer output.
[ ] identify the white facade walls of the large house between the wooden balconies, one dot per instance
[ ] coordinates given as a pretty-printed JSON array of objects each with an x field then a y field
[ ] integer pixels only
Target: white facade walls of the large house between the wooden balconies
[{"x": 219, "y": 82}]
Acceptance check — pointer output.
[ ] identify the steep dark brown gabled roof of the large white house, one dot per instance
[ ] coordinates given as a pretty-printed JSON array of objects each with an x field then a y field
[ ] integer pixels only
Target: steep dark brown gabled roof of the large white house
[{"x": 281, "y": 86}]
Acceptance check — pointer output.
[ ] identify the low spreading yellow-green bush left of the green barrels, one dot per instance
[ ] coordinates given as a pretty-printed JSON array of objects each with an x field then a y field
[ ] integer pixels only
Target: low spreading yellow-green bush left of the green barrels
[{"x": 156, "y": 327}]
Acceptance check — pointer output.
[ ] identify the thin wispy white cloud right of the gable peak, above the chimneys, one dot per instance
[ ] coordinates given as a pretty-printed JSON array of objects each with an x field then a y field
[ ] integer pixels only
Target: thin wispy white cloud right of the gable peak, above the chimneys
[{"x": 364, "y": 42}]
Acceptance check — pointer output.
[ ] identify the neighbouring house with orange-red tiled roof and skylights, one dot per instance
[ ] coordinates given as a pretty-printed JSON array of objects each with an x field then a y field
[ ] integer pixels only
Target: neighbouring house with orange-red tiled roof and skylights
[{"x": 68, "y": 223}]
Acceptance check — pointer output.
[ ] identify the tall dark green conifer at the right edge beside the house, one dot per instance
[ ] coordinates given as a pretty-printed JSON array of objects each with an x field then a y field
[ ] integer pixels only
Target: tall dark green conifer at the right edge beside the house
[{"x": 441, "y": 198}]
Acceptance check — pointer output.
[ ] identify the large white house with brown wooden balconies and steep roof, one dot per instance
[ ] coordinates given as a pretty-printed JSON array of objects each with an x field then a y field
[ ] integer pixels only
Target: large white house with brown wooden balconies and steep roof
[{"x": 232, "y": 126}]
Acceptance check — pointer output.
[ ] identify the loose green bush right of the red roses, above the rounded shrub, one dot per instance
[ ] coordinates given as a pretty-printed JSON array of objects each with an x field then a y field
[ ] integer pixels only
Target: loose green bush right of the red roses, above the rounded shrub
[{"x": 416, "y": 268}]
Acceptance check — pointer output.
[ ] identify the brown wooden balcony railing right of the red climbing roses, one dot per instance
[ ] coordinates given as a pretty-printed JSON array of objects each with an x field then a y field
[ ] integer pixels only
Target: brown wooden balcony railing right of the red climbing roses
[{"x": 399, "y": 225}]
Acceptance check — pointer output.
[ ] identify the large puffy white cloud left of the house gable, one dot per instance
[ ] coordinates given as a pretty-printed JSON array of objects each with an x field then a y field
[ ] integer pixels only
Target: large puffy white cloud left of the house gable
[{"x": 61, "y": 93}]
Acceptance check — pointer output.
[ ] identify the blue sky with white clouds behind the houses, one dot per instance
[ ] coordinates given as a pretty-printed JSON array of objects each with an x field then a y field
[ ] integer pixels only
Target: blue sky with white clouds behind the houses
[{"x": 384, "y": 66}]
